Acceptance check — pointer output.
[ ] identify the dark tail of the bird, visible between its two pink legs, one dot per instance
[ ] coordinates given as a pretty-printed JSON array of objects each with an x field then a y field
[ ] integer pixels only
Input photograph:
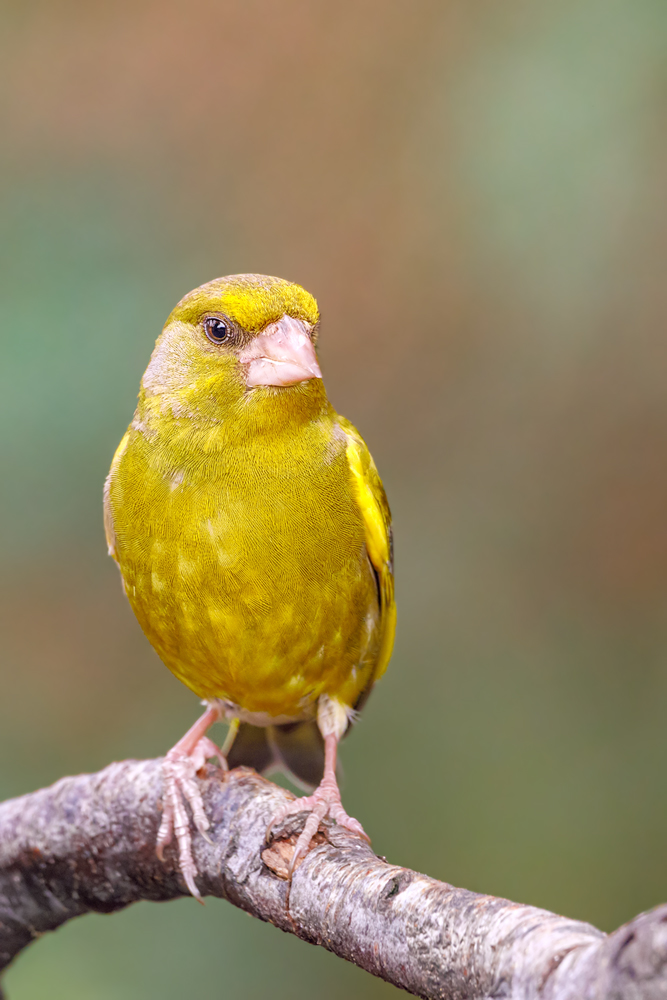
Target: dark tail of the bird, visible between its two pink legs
[{"x": 296, "y": 749}]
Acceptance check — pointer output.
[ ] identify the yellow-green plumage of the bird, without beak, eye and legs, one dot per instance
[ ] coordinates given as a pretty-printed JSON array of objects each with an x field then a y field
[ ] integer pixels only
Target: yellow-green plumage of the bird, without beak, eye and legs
[{"x": 249, "y": 524}]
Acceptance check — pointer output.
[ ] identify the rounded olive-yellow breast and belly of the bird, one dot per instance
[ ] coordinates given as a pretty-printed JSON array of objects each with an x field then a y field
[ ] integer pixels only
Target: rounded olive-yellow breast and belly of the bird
[{"x": 248, "y": 570}]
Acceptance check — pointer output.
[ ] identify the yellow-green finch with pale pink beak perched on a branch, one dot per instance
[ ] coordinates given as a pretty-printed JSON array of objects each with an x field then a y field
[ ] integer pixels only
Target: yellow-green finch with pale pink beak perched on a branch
[{"x": 254, "y": 541}]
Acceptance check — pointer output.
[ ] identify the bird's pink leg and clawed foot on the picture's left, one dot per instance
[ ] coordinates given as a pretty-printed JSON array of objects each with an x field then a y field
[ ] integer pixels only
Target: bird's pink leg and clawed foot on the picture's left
[{"x": 179, "y": 773}]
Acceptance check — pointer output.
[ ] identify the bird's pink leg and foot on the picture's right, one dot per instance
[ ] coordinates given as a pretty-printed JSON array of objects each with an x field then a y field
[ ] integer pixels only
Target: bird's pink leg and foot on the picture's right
[{"x": 325, "y": 800}]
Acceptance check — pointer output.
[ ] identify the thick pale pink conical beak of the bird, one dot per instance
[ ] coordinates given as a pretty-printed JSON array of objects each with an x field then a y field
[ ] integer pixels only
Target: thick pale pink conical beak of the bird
[{"x": 283, "y": 354}]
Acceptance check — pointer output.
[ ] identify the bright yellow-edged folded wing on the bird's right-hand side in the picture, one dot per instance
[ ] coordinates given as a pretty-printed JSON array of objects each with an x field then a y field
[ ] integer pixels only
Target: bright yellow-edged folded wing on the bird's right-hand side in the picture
[{"x": 372, "y": 501}]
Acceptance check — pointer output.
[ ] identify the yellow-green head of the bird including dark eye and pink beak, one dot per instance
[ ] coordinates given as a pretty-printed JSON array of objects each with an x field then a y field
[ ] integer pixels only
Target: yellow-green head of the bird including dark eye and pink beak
[{"x": 234, "y": 341}]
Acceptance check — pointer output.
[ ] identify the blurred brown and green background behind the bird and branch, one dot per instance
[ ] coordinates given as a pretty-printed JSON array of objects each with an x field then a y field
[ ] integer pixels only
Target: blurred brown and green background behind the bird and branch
[{"x": 475, "y": 194}]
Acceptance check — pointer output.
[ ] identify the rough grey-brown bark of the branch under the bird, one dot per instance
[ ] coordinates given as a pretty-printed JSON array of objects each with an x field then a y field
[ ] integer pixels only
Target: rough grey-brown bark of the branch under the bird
[{"x": 87, "y": 844}]
